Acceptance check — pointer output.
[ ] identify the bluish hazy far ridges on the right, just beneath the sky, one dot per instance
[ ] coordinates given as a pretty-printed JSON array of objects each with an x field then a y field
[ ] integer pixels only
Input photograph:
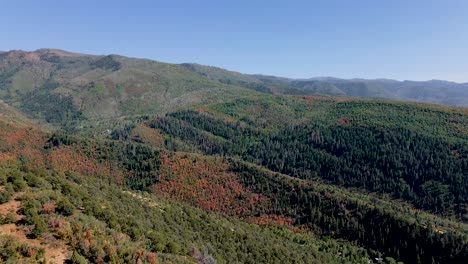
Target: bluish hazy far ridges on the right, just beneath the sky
[{"x": 434, "y": 91}]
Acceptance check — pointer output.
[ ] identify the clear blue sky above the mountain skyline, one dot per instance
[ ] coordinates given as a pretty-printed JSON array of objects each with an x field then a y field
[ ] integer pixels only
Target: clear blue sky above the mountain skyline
[{"x": 400, "y": 39}]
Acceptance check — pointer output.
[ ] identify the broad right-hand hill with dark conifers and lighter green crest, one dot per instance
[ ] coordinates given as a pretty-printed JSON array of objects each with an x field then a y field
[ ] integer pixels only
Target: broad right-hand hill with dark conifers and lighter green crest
[{"x": 415, "y": 152}]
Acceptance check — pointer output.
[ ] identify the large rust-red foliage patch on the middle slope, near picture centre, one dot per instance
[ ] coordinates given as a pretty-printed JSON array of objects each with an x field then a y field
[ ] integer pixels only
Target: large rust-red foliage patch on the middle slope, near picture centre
[{"x": 206, "y": 183}]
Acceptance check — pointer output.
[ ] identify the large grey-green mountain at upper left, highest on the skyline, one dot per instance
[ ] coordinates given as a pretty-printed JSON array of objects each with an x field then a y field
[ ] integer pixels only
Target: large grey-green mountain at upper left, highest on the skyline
[{"x": 69, "y": 89}]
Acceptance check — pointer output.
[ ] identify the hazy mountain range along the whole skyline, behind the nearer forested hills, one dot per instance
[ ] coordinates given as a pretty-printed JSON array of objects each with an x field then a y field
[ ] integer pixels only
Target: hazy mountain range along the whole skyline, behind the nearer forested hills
[{"x": 45, "y": 82}]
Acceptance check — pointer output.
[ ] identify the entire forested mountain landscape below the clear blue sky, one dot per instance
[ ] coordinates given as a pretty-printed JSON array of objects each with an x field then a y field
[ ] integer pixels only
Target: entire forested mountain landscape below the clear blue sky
[{"x": 108, "y": 159}]
